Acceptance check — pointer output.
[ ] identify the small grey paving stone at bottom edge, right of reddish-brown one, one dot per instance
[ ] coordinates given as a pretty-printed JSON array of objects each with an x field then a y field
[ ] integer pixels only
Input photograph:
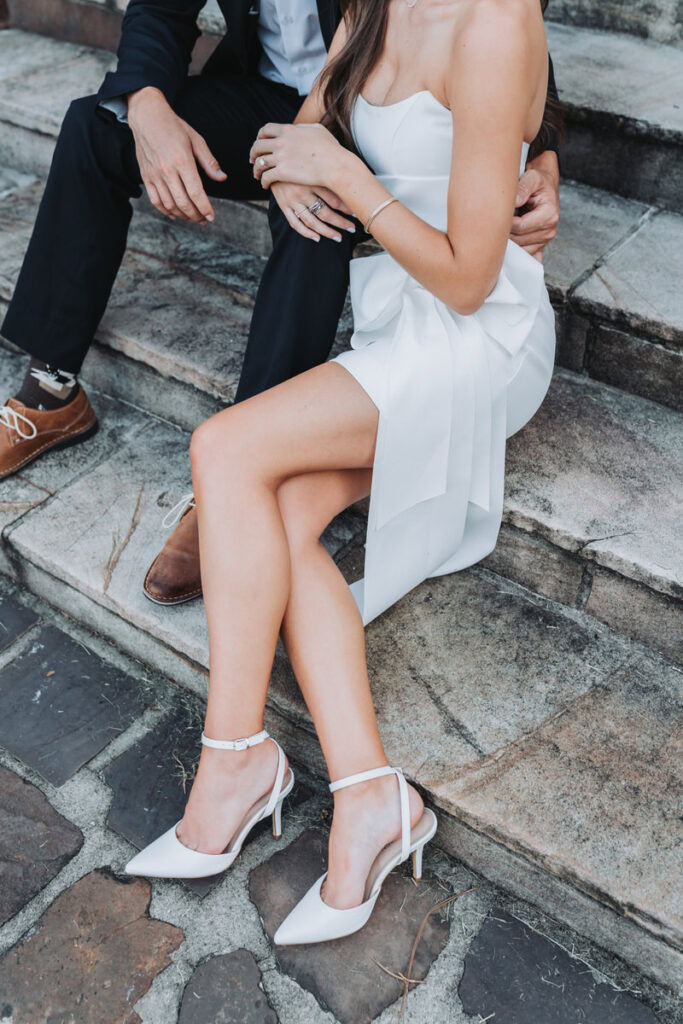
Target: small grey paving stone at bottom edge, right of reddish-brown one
[{"x": 227, "y": 991}]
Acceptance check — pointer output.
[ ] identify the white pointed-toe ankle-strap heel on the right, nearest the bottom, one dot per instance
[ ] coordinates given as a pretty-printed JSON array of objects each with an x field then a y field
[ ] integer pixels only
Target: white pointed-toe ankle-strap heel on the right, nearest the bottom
[{"x": 315, "y": 921}]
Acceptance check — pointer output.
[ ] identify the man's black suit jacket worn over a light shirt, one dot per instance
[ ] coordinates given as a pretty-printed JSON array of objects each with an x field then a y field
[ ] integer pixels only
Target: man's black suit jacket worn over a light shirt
[{"x": 158, "y": 37}]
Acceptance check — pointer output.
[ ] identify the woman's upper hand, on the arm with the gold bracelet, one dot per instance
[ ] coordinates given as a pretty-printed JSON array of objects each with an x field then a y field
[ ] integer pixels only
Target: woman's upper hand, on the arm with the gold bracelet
[{"x": 303, "y": 155}]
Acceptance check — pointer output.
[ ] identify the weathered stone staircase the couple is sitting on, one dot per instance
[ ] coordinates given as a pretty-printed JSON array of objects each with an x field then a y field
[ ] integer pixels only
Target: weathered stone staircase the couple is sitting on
[{"x": 534, "y": 698}]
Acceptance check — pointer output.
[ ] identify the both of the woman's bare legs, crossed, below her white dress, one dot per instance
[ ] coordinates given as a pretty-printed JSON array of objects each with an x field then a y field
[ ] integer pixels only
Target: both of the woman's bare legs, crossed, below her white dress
[{"x": 267, "y": 486}]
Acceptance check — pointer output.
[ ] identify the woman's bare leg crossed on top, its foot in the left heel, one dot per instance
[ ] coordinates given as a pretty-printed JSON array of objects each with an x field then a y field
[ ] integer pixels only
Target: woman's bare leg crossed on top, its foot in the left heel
[{"x": 241, "y": 457}]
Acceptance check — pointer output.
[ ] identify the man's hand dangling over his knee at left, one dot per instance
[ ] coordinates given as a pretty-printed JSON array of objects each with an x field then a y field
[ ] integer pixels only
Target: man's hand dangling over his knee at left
[{"x": 168, "y": 151}]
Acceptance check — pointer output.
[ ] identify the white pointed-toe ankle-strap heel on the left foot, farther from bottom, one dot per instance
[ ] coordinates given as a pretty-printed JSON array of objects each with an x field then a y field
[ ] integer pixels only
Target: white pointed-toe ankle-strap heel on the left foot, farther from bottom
[{"x": 168, "y": 859}]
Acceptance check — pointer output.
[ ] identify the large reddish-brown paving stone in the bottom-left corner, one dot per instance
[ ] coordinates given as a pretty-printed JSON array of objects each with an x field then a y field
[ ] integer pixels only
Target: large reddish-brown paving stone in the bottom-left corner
[{"x": 91, "y": 958}]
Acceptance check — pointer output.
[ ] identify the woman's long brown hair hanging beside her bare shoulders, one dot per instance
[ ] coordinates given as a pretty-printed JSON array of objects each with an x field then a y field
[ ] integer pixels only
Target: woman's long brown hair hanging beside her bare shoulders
[{"x": 345, "y": 77}]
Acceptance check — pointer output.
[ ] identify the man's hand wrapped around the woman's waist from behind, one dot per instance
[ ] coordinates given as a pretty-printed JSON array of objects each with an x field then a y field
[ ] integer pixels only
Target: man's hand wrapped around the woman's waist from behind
[{"x": 538, "y": 193}]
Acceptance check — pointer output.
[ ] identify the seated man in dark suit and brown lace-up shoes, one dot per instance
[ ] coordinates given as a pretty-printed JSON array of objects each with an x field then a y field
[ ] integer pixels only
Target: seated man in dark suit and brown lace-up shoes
[{"x": 186, "y": 140}]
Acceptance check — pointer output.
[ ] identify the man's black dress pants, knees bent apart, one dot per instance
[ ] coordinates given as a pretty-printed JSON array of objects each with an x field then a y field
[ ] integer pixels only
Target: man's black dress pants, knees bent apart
[{"x": 79, "y": 238}]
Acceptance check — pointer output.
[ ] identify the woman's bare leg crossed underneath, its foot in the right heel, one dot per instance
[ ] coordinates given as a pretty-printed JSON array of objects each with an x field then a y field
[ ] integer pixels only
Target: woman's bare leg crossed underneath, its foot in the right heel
[{"x": 325, "y": 639}]
